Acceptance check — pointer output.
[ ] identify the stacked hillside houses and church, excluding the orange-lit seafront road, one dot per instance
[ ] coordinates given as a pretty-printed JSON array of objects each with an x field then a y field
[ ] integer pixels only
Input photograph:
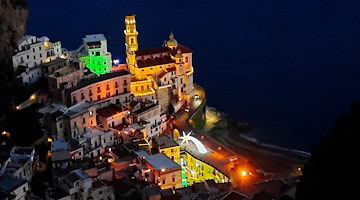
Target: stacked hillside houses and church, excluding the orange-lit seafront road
[{"x": 108, "y": 127}]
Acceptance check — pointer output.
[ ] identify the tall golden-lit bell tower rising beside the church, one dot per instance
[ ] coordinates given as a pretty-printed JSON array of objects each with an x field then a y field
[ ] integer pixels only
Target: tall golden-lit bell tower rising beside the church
[{"x": 131, "y": 42}]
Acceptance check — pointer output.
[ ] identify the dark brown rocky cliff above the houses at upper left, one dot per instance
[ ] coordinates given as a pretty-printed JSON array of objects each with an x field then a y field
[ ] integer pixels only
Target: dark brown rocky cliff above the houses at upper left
[{"x": 13, "y": 16}]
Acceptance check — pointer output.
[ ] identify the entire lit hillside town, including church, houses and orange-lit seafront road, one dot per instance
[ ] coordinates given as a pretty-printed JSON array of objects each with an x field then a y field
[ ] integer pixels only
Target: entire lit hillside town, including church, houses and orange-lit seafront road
[{"x": 133, "y": 130}]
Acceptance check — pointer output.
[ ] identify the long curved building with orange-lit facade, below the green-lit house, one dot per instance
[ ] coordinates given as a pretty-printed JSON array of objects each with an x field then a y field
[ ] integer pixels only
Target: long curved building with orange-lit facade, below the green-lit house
[{"x": 112, "y": 86}]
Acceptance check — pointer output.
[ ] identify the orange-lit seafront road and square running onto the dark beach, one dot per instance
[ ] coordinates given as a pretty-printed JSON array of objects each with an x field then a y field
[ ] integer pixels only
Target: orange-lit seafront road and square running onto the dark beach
[{"x": 251, "y": 156}]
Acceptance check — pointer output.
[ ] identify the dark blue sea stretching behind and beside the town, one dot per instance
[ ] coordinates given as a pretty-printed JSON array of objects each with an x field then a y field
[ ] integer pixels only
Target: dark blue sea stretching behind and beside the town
[{"x": 288, "y": 67}]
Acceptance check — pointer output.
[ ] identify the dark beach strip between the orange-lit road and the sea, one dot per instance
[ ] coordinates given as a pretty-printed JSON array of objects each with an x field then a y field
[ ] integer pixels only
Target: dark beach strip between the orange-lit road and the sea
[{"x": 269, "y": 158}]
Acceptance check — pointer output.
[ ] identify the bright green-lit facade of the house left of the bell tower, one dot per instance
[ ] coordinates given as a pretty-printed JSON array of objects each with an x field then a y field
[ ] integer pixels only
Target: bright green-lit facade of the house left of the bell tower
[{"x": 97, "y": 64}]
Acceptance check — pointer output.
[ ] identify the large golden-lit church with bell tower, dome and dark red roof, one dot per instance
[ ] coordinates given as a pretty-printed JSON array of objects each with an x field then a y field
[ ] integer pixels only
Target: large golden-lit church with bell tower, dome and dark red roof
[{"x": 165, "y": 72}]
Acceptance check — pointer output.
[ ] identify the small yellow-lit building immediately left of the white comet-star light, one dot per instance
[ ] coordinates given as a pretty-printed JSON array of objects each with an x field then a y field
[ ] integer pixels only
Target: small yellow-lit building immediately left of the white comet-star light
[{"x": 169, "y": 147}]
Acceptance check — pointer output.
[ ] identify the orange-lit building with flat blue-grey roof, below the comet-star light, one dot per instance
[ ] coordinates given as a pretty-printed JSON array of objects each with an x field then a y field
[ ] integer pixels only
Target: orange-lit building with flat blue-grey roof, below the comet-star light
[{"x": 159, "y": 169}]
